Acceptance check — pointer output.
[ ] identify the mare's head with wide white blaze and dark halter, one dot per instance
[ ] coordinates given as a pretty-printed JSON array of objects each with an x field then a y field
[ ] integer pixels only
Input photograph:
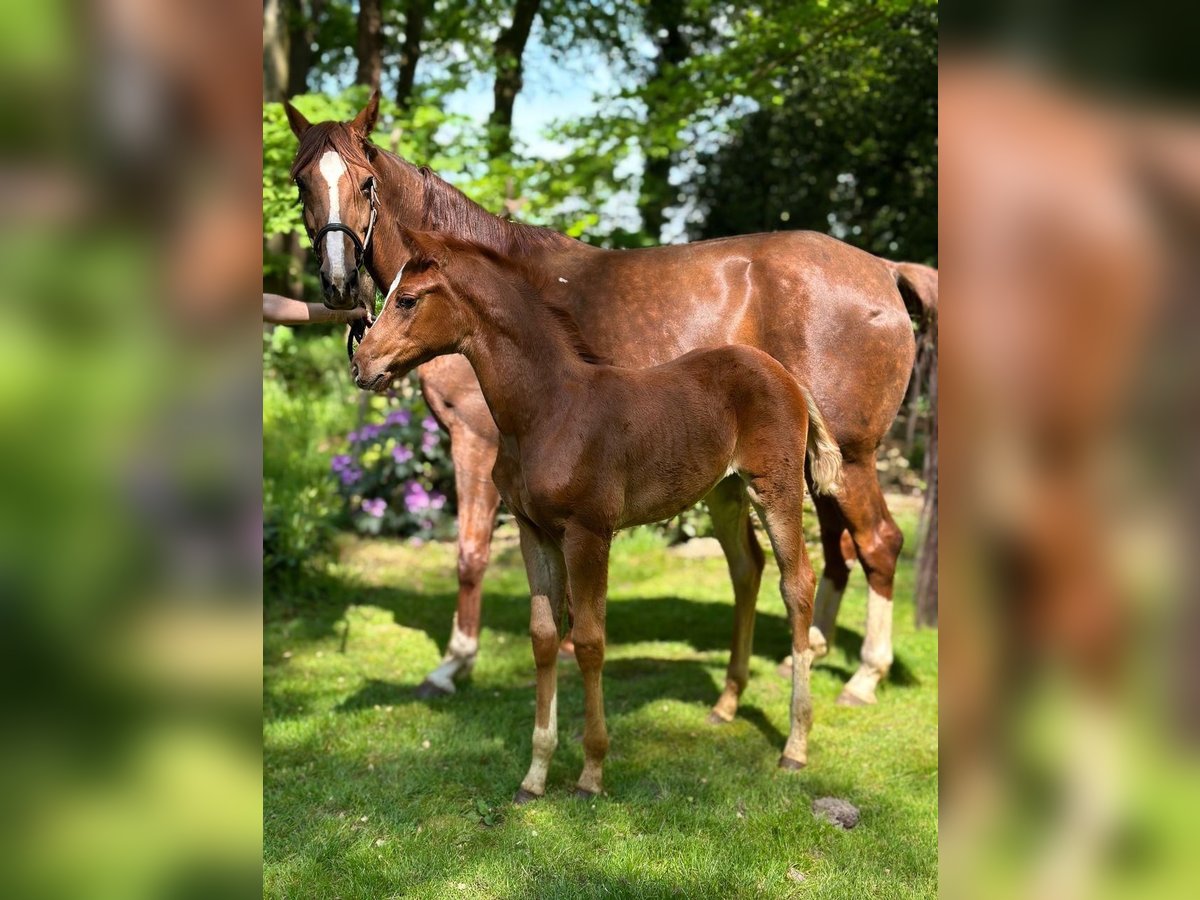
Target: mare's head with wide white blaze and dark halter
[{"x": 337, "y": 183}]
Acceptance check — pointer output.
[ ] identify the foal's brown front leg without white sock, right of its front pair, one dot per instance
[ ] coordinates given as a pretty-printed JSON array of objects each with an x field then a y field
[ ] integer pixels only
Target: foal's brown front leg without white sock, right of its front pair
[{"x": 587, "y": 567}]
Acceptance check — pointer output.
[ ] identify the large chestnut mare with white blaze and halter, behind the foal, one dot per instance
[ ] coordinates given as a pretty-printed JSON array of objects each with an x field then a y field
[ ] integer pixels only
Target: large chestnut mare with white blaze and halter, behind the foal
[{"x": 833, "y": 315}]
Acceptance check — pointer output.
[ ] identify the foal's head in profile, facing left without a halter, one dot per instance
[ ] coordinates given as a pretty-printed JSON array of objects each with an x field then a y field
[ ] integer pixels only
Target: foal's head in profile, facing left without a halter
[{"x": 423, "y": 316}]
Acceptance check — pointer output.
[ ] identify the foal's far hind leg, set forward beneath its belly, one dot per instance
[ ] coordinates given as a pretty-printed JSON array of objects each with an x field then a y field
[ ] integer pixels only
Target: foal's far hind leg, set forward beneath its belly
[{"x": 730, "y": 509}]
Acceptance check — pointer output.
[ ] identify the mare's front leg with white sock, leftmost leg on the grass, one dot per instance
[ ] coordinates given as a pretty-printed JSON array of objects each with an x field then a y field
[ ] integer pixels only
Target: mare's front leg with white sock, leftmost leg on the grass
[{"x": 473, "y": 458}]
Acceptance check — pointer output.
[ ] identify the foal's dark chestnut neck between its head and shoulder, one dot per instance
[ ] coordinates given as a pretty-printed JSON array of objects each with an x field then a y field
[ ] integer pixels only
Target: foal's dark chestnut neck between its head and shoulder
[{"x": 521, "y": 358}]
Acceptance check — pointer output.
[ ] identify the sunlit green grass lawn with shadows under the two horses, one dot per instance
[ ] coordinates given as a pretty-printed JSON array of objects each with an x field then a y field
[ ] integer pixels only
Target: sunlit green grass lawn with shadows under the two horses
[{"x": 371, "y": 794}]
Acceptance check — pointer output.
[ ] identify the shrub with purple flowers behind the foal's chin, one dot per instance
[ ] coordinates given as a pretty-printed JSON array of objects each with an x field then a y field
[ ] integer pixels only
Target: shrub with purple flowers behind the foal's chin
[{"x": 395, "y": 473}]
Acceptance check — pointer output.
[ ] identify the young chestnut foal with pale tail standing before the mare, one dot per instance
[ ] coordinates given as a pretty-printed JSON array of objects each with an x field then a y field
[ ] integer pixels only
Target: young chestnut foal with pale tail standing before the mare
[{"x": 589, "y": 449}]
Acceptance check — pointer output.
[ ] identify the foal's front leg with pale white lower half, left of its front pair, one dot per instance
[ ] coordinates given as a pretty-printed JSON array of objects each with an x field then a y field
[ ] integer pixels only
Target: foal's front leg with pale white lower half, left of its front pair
[{"x": 548, "y": 587}]
